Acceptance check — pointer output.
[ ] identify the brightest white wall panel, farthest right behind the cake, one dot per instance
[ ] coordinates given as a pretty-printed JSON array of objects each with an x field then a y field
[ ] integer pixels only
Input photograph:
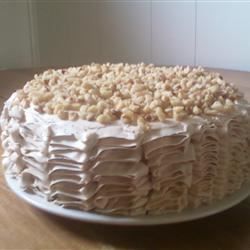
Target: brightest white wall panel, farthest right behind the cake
[{"x": 223, "y": 35}]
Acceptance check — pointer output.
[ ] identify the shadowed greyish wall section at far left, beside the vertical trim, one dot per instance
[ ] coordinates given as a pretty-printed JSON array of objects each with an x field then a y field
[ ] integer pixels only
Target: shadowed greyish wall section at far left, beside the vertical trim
[{"x": 15, "y": 40}]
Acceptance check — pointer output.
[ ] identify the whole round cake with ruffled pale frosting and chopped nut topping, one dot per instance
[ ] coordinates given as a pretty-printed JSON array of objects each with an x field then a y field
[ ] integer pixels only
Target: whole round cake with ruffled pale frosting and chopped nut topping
[{"x": 127, "y": 139}]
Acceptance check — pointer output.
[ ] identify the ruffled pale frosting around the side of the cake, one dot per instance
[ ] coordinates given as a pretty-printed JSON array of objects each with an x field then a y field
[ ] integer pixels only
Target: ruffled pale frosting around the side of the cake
[{"x": 119, "y": 169}]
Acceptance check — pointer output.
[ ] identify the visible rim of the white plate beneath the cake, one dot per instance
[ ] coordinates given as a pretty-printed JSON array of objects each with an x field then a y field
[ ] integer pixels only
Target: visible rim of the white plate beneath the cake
[{"x": 170, "y": 218}]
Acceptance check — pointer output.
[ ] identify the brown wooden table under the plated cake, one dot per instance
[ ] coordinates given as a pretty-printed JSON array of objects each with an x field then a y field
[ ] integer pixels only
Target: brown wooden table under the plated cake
[{"x": 24, "y": 227}]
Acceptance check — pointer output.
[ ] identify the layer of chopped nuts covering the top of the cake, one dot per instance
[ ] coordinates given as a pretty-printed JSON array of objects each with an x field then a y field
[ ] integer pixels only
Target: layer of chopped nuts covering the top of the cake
[{"x": 134, "y": 93}]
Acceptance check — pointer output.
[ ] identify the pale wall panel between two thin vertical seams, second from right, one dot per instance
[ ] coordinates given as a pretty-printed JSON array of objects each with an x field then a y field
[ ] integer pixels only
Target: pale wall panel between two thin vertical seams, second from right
[{"x": 173, "y": 32}]
